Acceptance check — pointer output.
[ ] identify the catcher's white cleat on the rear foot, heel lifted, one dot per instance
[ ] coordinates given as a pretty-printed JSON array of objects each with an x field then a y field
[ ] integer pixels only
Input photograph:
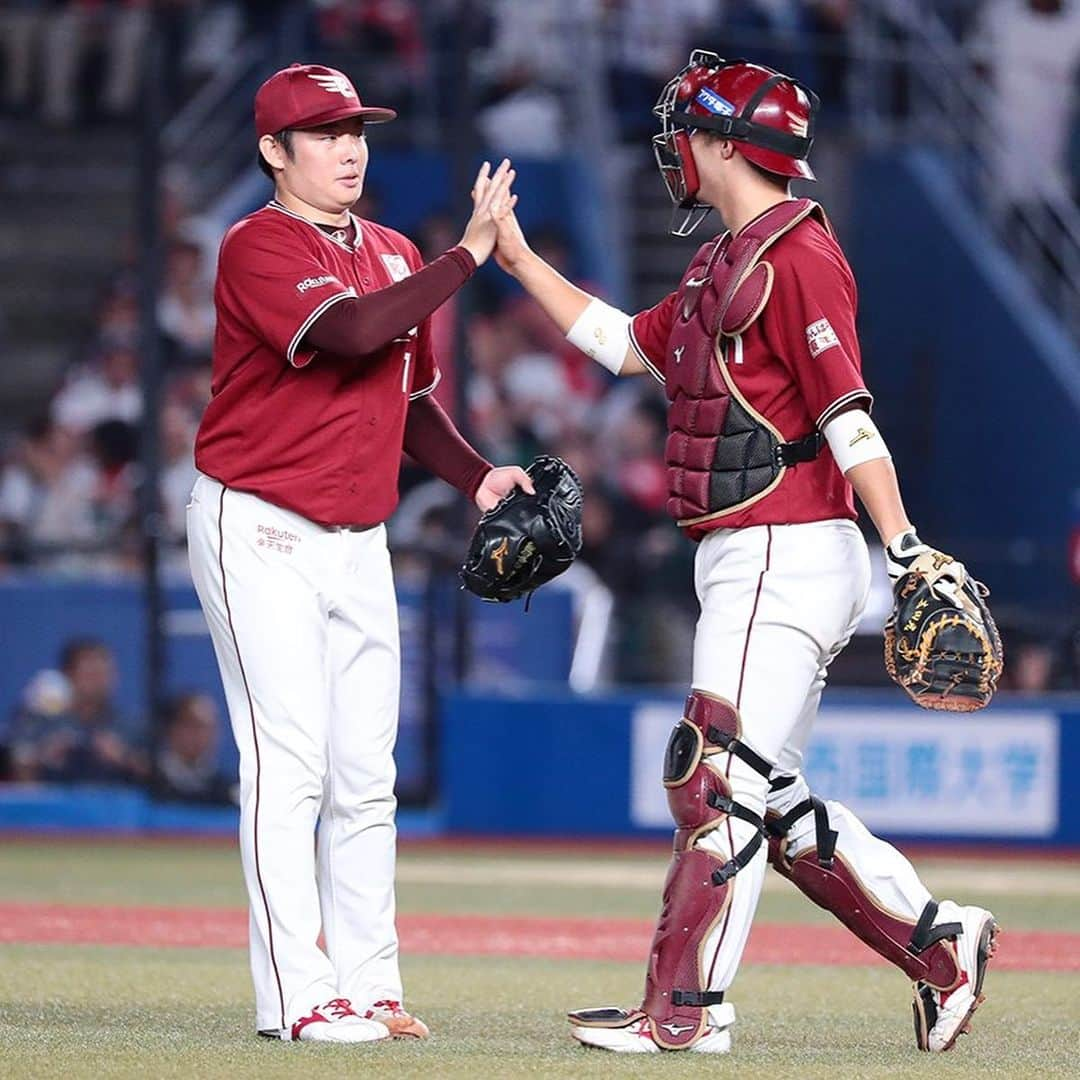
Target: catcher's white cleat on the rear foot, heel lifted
[{"x": 942, "y": 1017}]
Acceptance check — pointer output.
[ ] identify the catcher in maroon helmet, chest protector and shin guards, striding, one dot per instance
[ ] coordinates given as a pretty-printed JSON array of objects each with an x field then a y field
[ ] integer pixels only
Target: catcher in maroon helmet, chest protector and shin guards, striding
[{"x": 769, "y": 431}]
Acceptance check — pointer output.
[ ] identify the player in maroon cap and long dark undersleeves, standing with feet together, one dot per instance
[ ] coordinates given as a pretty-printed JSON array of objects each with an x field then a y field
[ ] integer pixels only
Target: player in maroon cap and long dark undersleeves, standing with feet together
[{"x": 322, "y": 373}]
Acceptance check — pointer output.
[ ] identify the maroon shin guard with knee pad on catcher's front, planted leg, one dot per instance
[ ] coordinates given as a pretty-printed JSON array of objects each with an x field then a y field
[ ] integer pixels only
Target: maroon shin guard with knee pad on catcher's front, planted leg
[{"x": 697, "y": 893}]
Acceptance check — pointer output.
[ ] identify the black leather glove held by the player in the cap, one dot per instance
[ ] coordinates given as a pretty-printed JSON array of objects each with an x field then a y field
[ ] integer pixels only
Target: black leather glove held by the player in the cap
[{"x": 525, "y": 541}]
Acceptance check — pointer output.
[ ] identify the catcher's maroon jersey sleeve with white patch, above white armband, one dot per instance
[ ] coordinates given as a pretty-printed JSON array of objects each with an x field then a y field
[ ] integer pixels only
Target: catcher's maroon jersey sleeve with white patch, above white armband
[{"x": 811, "y": 325}]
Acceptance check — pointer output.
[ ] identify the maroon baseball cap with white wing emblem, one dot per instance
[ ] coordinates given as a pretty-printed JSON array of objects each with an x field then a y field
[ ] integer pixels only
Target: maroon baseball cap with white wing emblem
[{"x": 309, "y": 96}]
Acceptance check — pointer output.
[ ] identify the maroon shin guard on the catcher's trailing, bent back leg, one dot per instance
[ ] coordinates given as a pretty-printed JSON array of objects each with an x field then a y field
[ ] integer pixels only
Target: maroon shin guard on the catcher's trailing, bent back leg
[{"x": 919, "y": 950}]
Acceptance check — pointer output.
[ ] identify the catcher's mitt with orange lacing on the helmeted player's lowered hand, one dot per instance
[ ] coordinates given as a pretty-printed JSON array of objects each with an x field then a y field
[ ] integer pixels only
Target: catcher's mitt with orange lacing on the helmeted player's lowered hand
[{"x": 941, "y": 644}]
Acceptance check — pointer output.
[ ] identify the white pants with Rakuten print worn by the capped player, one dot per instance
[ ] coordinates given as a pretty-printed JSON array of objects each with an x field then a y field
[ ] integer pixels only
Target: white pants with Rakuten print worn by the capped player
[{"x": 304, "y": 622}]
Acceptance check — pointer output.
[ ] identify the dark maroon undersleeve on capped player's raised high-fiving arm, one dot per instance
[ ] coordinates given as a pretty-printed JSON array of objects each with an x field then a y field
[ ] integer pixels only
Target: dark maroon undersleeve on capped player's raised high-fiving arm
[{"x": 364, "y": 325}]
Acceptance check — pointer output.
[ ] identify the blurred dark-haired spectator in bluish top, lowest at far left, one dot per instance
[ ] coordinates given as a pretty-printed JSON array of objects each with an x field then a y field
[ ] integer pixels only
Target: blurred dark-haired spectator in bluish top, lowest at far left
[{"x": 87, "y": 741}]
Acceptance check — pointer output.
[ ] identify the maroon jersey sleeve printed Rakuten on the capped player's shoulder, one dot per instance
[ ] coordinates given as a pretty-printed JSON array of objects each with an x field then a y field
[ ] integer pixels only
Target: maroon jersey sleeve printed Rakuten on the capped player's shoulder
[{"x": 278, "y": 287}]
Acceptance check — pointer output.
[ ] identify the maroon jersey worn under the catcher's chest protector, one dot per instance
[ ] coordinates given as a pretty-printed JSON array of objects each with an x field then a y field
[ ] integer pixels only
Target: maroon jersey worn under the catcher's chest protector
[{"x": 798, "y": 364}]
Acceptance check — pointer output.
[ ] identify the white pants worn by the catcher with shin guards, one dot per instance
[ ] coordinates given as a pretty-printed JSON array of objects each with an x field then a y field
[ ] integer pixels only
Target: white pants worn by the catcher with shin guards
[{"x": 778, "y": 604}]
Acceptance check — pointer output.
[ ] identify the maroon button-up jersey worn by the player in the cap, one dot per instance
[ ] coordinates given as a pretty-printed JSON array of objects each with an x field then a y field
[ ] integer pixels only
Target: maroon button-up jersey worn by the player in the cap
[{"x": 315, "y": 434}]
